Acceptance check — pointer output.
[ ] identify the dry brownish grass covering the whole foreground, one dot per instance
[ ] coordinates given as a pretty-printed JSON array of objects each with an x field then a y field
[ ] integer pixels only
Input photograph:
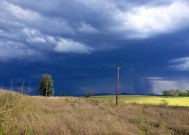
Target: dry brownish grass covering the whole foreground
[{"x": 78, "y": 116}]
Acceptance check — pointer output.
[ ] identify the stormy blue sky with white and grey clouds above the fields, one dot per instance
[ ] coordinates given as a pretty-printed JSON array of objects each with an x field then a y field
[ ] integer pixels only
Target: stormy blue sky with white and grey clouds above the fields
[{"x": 79, "y": 42}]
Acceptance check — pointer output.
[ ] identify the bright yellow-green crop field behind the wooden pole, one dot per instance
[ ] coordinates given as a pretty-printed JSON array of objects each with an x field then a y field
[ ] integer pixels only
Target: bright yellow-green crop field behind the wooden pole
[{"x": 155, "y": 100}]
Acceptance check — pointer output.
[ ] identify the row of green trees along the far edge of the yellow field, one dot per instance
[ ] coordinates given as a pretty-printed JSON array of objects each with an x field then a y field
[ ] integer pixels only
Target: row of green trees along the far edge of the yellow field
[{"x": 176, "y": 93}]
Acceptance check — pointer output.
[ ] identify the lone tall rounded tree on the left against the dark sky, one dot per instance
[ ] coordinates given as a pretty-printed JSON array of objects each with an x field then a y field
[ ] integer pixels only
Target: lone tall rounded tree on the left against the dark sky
[{"x": 46, "y": 85}]
